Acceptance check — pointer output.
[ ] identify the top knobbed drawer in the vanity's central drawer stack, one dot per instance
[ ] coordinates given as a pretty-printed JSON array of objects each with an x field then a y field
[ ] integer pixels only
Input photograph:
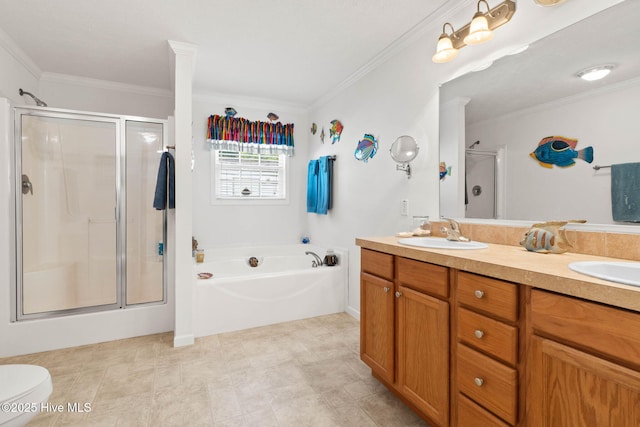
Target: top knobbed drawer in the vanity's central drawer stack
[{"x": 488, "y": 295}]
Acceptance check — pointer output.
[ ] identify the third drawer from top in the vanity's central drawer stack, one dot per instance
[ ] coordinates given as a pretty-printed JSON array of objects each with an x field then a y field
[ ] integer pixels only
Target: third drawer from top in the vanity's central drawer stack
[{"x": 488, "y": 382}]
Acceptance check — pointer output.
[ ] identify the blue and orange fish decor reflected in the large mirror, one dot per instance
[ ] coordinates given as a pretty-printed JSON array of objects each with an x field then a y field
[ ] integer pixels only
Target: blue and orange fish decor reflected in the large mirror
[{"x": 560, "y": 151}]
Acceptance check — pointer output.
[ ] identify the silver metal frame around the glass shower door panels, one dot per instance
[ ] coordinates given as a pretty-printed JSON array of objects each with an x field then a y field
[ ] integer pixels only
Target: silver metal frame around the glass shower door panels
[{"x": 16, "y": 289}]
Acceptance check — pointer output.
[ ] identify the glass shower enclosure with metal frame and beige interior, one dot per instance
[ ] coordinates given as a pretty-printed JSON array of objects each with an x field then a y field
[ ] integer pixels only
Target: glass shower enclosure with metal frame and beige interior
[{"x": 87, "y": 237}]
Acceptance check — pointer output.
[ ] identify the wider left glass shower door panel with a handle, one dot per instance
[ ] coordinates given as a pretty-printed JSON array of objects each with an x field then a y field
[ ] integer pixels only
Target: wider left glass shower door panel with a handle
[{"x": 69, "y": 171}]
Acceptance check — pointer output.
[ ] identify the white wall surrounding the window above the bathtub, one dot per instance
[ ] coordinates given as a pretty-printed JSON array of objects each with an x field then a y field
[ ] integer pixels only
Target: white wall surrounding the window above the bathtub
[{"x": 253, "y": 224}]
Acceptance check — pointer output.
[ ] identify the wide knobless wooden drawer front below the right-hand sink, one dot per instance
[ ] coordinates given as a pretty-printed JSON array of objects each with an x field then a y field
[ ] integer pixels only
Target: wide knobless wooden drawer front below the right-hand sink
[{"x": 606, "y": 330}]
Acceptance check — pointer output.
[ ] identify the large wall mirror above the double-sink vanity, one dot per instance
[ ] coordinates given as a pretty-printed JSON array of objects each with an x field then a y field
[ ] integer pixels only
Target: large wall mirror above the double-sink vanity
[{"x": 492, "y": 120}]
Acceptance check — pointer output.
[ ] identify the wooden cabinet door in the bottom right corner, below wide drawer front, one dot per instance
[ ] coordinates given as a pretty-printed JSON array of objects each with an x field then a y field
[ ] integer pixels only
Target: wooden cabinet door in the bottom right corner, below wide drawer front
[{"x": 571, "y": 388}]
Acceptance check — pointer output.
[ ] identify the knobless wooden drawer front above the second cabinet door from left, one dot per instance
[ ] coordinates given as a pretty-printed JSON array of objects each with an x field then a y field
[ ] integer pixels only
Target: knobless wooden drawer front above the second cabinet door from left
[{"x": 423, "y": 277}]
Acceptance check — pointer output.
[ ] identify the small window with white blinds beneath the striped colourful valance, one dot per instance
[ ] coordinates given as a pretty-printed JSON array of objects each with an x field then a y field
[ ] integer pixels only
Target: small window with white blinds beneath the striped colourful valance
[{"x": 240, "y": 175}]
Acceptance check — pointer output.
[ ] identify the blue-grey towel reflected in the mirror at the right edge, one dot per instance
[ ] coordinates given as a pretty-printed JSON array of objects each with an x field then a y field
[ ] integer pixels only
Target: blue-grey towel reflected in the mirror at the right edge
[{"x": 625, "y": 192}]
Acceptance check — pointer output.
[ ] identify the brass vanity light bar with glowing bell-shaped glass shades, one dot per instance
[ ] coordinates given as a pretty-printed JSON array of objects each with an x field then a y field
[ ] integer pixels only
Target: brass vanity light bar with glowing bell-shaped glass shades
[{"x": 479, "y": 30}]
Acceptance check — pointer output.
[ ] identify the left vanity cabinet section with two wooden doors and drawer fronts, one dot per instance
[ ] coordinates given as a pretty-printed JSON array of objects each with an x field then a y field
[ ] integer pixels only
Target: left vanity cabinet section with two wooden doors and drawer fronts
[{"x": 405, "y": 330}]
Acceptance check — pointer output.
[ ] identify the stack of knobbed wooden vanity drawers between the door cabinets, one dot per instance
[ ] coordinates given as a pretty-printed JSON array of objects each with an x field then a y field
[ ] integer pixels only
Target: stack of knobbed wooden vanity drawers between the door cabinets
[{"x": 486, "y": 351}]
